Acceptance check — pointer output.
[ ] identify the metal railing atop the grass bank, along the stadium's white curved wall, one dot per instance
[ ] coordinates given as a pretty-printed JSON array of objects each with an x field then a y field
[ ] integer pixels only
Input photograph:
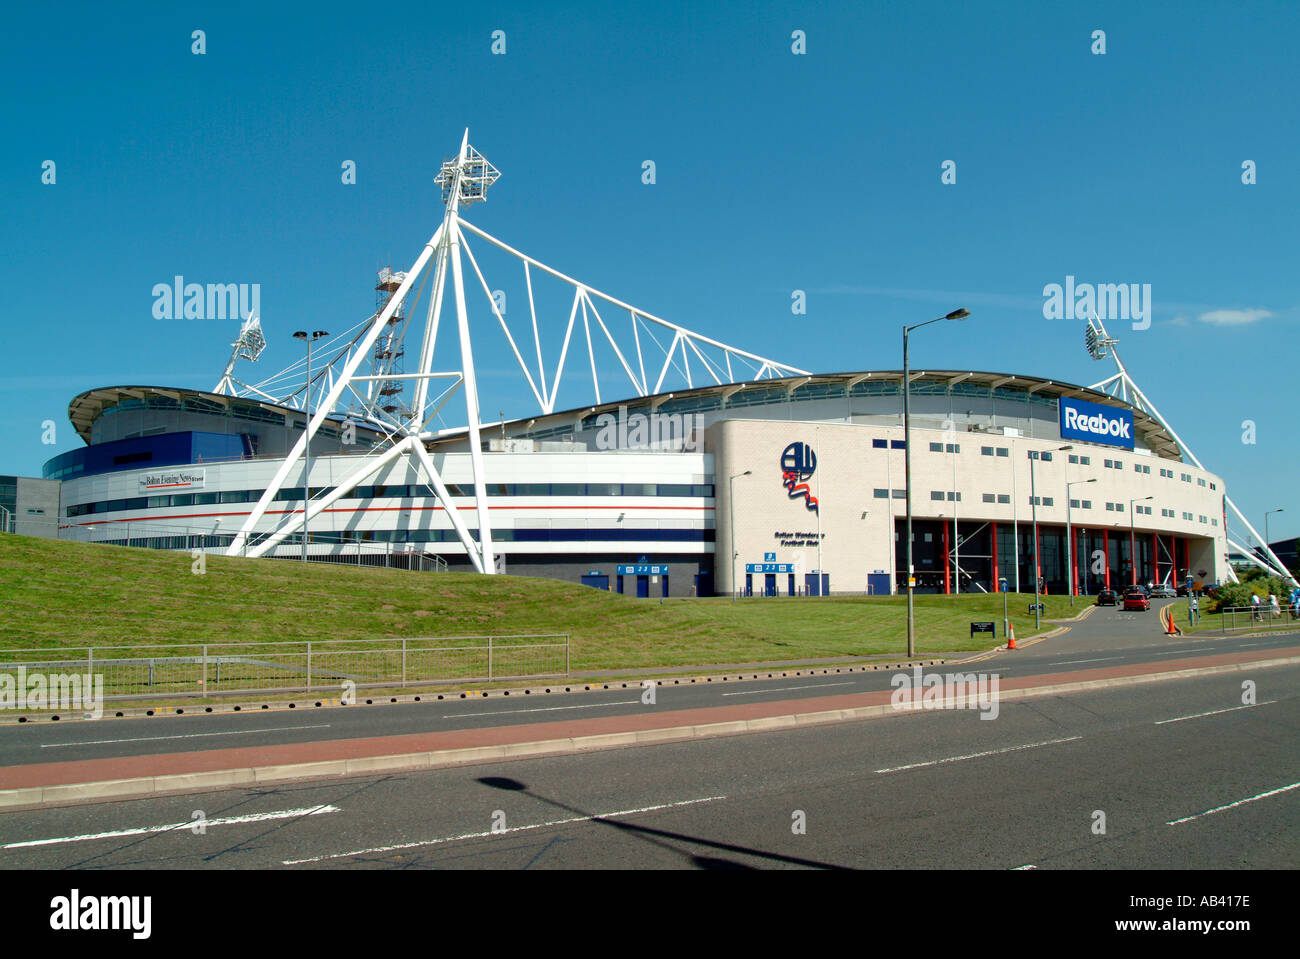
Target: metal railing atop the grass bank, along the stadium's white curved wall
[{"x": 328, "y": 546}]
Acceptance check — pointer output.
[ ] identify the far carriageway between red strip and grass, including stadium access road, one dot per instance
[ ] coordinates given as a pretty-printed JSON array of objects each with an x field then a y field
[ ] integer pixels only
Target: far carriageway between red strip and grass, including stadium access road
[{"x": 1107, "y": 639}]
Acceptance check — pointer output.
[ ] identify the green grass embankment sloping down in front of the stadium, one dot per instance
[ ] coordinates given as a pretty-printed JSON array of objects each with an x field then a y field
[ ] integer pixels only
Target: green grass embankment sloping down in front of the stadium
[{"x": 60, "y": 595}]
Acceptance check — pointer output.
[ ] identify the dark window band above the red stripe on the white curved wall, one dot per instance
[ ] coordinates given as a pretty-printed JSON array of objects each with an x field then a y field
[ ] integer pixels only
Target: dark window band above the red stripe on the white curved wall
[{"x": 294, "y": 494}]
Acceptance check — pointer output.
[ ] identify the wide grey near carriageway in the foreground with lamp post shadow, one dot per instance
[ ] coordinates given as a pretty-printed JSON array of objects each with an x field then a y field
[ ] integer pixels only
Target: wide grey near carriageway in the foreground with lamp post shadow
[{"x": 1185, "y": 776}]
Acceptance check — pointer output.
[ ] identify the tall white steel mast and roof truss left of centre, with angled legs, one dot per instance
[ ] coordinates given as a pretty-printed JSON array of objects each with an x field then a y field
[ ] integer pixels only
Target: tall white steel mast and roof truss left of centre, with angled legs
[{"x": 647, "y": 363}]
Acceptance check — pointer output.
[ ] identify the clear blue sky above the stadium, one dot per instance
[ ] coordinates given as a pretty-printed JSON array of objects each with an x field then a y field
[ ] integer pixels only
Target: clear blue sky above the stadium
[{"x": 775, "y": 172}]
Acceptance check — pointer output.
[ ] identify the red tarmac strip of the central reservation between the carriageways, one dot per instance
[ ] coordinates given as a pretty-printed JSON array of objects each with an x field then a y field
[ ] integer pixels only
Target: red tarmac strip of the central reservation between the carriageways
[{"x": 253, "y": 757}]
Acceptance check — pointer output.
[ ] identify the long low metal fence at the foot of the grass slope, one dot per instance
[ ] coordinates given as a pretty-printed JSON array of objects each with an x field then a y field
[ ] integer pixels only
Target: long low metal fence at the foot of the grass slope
[{"x": 135, "y": 672}]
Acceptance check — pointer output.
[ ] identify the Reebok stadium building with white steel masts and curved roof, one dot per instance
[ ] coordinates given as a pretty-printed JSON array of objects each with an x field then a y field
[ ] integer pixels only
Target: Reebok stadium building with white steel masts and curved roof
[{"x": 748, "y": 476}]
